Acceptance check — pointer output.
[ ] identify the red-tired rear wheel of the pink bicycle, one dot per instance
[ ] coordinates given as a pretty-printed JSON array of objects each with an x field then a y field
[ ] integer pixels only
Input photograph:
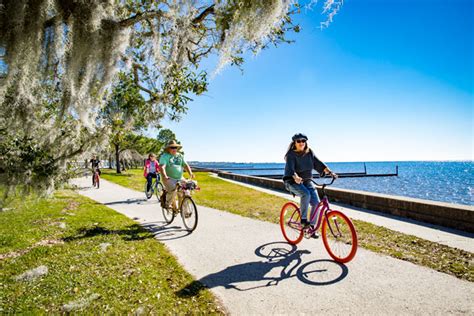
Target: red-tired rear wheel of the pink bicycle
[{"x": 290, "y": 223}]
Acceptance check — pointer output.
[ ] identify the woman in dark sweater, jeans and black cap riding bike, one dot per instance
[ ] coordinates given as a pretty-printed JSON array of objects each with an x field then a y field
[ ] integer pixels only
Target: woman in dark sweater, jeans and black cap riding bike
[{"x": 300, "y": 162}]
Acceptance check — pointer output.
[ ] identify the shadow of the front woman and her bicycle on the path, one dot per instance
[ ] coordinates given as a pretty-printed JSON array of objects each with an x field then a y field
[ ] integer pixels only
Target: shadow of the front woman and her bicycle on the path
[{"x": 282, "y": 262}]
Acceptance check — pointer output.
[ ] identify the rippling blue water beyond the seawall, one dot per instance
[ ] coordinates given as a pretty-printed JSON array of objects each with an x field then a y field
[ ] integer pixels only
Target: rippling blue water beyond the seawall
[{"x": 446, "y": 181}]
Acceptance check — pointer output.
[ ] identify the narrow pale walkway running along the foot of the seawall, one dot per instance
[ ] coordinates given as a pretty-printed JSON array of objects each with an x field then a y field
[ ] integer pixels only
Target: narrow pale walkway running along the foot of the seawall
[{"x": 442, "y": 235}]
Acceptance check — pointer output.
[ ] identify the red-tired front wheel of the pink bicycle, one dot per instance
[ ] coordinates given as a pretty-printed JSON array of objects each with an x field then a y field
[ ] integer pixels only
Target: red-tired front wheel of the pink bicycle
[{"x": 339, "y": 236}]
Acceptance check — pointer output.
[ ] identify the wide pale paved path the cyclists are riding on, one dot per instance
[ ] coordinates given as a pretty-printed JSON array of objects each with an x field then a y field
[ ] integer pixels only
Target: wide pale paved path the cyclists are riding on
[{"x": 251, "y": 270}]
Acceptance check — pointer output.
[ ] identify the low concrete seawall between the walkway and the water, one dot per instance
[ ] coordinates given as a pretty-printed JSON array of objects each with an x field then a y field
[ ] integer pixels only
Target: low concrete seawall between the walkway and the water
[{"x": 444, "y": 214}]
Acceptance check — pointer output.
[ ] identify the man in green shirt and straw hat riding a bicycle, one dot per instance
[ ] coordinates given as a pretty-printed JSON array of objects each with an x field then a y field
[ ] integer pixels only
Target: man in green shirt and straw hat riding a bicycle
[{"x": 172, "y": 166}]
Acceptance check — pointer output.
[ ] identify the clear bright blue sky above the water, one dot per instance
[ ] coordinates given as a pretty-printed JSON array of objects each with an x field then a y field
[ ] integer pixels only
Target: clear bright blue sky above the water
[{"x": 386, "y": 81}]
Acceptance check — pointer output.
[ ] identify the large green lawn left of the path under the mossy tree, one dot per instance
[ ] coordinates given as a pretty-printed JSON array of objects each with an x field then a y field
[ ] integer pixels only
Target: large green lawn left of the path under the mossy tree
[{"x": 69, "y": 253}]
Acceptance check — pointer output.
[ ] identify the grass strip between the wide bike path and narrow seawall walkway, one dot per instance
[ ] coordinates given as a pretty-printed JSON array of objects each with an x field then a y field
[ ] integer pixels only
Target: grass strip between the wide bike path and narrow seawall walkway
[{"x": 223, "y": 195}]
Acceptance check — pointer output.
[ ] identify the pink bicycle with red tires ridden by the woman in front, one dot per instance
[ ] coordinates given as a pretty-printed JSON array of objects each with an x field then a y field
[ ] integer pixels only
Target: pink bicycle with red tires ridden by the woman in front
[{"x": 338, "y": 233}]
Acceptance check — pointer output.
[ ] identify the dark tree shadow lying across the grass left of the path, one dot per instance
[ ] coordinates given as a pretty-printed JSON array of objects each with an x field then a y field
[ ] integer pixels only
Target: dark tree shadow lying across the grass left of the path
[{"x": 130, "y": 233}]
